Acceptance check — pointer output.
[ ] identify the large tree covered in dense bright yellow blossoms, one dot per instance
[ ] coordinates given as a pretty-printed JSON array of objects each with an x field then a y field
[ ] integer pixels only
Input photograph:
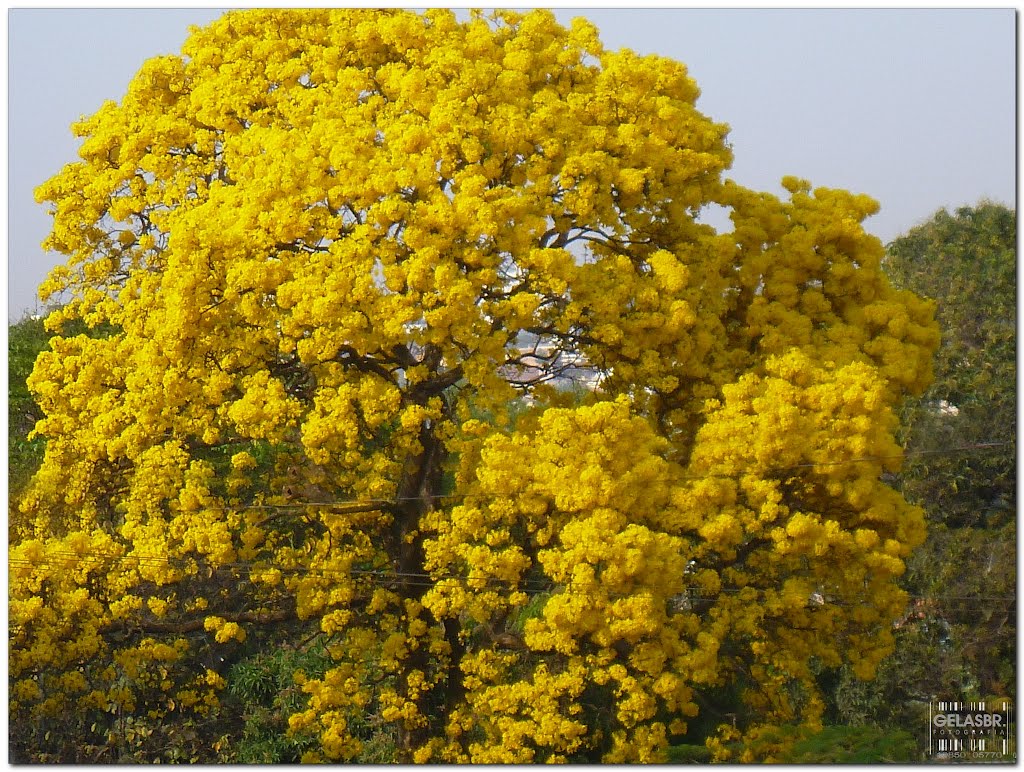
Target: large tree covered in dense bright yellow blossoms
[{"x": 340, "y": 267}]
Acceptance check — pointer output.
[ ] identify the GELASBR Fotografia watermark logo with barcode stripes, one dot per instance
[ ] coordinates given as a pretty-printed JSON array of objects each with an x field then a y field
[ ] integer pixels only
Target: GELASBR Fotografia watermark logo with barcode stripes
[{"x": 971, "y": 731}]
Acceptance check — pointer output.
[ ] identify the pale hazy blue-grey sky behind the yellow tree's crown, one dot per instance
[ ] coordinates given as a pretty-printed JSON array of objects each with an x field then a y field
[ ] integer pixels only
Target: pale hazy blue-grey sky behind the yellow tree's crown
[{"x": 916, "y": 108}]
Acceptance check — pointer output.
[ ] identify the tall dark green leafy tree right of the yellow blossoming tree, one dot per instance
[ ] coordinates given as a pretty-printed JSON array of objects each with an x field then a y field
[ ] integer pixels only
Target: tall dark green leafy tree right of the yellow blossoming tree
[{"x": 958, "y": 639}]
